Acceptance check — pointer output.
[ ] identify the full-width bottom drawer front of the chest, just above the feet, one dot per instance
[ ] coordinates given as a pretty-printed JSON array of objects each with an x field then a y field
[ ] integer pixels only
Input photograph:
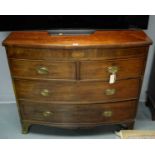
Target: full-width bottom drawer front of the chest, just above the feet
[{"x": 65, "y": 113}]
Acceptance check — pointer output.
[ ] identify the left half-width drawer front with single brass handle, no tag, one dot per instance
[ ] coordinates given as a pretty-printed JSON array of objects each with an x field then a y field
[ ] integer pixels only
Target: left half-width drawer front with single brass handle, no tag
[{"x": 42, "y": 69}]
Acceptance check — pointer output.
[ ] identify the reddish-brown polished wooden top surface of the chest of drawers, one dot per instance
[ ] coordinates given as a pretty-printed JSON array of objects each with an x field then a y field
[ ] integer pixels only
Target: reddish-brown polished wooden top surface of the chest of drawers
[{"x": 107, "y": 39}]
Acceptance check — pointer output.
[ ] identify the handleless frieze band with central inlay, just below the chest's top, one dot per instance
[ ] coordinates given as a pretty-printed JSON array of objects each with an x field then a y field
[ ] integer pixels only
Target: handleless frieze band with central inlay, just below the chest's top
[{"x": 90, "y": 53}]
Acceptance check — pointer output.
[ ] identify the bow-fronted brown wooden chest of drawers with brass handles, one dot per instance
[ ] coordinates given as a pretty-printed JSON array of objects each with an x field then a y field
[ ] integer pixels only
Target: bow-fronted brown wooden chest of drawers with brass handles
[{"x": 77, "y": 81}]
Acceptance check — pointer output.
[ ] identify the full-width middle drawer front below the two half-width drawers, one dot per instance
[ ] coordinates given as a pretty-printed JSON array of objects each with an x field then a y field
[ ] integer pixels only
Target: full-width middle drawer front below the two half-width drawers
[{"x": 77, "y": 91}]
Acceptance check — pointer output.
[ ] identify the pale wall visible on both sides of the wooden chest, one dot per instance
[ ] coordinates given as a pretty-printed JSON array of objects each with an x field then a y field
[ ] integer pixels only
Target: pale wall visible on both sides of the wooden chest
[{"x": 6, "y": 91}]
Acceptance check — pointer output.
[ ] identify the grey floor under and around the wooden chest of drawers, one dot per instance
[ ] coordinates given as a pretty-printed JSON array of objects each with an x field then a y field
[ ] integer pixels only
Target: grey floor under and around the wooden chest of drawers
[{"x": 10, "y": 127}]
